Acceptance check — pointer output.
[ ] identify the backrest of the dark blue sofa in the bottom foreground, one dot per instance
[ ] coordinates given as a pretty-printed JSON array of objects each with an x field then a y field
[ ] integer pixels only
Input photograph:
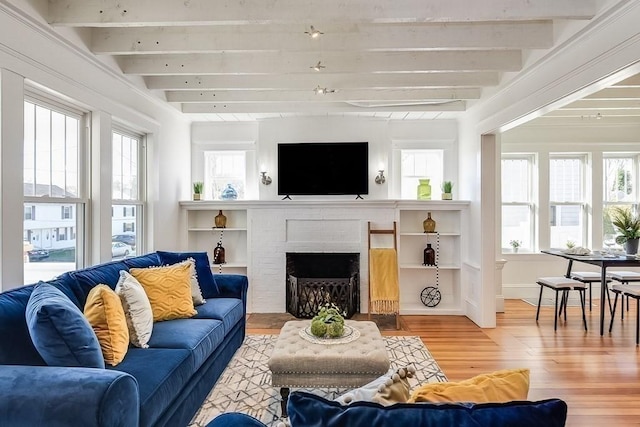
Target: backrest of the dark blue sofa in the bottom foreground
[{"x": 308, "y": 410}]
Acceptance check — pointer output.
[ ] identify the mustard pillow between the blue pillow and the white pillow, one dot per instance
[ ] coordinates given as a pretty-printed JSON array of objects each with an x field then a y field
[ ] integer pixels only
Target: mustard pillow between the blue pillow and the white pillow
[{"x": 104, "y": 312}]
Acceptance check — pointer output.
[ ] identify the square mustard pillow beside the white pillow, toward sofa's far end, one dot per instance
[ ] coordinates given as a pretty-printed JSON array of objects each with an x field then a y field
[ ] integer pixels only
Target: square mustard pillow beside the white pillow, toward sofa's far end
[{"x": 168, "y": 289}]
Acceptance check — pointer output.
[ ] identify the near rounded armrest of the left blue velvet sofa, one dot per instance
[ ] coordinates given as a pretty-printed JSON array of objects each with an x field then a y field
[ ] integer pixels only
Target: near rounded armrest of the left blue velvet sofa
[{"x": 61, "y": 397}]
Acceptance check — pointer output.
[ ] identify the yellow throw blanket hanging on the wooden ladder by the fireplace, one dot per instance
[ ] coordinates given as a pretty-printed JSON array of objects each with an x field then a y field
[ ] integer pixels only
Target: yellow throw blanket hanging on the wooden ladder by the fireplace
[{"x": 383, "y": 281}]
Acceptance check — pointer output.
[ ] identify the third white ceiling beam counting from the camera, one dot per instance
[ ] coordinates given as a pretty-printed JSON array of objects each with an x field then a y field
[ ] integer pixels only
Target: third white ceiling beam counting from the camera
[{"x": 340, "y": 62}]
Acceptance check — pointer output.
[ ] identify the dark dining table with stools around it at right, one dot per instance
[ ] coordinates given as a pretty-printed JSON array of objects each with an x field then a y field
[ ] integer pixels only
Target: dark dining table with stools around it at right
[{"x": 601, "y": 259}]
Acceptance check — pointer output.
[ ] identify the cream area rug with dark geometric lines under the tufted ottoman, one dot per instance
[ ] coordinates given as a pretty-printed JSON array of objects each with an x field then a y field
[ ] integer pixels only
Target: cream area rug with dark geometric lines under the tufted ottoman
[{"x": 245, "y": 385}]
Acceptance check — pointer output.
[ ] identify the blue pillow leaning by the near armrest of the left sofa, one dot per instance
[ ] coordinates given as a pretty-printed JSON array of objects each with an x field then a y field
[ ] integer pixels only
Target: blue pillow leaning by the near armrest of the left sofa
[{"x": 59, "y": 330}]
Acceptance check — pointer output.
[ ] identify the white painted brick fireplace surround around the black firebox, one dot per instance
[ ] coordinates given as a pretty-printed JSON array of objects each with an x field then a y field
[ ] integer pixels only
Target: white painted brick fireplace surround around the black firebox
[{"x": 325, "y": 227}]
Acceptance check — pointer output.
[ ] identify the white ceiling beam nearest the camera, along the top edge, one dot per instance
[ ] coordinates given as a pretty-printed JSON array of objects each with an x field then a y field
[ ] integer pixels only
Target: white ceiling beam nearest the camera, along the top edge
[{"x": 96, "y": 13}]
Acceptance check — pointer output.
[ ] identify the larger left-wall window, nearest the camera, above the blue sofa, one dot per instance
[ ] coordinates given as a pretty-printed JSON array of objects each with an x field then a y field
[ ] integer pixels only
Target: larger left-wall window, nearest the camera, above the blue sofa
[{"x": 54, "y": 199}]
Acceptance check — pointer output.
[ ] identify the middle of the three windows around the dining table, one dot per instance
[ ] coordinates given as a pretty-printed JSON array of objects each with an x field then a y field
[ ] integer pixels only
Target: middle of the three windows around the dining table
[{"x": 567, "y": 216}]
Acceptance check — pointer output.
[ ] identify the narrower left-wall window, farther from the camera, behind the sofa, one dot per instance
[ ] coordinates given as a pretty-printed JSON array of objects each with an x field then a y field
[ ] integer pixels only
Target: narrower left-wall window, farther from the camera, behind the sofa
[{"x": 128, "y": 194}]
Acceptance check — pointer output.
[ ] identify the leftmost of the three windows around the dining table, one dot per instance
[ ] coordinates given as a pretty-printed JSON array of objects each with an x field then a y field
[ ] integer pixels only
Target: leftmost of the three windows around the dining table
[{"x": 518, "y": 206}]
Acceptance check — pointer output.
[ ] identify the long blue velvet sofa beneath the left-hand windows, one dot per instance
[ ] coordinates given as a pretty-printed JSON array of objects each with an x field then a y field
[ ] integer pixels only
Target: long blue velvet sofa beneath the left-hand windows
[{"x": 163, "y": 385}]
